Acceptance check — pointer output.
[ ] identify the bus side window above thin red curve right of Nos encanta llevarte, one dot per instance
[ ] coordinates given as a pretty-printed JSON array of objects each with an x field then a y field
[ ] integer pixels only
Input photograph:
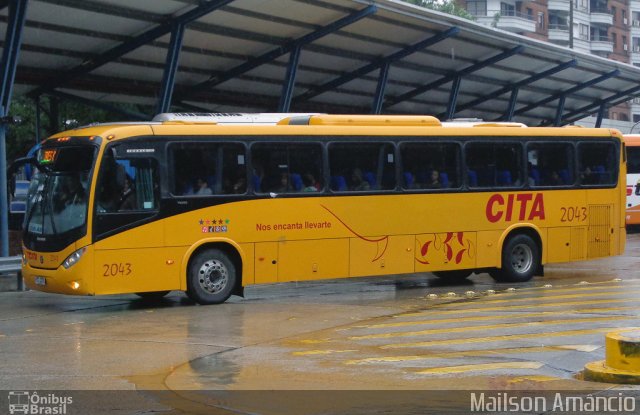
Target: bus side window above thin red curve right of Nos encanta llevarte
[{"x": 361, "y": 166}]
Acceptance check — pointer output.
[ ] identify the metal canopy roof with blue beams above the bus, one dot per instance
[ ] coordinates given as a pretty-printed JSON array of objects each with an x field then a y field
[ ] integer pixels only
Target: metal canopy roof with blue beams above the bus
[{"x": 338, "y": 56}]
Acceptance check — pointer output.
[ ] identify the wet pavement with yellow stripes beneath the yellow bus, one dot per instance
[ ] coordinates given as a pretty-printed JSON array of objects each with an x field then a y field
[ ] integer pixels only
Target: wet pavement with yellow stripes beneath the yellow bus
[{"x": 385, "y": 333}]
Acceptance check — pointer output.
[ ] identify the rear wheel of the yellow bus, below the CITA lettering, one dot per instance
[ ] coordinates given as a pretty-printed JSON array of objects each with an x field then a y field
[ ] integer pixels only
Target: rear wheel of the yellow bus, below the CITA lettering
[{"x": 520, "y": 260}]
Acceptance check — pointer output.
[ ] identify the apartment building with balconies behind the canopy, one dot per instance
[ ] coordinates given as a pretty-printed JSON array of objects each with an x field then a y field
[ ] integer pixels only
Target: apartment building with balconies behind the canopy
[{"x": 607, "y": 28}]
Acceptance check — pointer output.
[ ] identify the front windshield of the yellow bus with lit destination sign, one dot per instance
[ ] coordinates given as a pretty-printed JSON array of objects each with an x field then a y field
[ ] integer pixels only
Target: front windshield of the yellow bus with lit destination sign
[{"x": 58, "y": 194}]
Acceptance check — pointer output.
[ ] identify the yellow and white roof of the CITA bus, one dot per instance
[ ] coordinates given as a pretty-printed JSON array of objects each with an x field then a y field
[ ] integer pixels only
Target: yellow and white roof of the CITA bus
[{"x": 174, "y": 124}]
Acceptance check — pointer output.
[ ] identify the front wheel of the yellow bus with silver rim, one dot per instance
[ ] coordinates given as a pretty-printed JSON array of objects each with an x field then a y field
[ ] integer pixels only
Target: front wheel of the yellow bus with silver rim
[{"x": 211, "y": 277}]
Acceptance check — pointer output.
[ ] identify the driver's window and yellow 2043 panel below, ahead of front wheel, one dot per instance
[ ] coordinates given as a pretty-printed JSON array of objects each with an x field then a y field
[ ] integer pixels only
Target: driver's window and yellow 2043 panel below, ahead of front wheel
[{"x": 129, "y": 240}]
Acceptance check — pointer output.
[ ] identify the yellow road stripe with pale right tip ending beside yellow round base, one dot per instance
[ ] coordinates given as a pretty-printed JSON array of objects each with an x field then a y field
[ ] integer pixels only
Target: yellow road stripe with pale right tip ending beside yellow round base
[{"x": 475, "y": 353}]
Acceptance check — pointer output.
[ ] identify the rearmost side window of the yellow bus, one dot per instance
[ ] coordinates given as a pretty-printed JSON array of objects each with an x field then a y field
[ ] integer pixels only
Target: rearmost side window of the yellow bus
[{"x": 597, "y": 163}]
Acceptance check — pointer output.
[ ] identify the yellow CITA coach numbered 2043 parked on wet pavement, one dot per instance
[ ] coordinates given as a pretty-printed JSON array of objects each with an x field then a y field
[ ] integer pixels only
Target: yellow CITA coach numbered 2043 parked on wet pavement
[{"x": 208, "y": 206}]
